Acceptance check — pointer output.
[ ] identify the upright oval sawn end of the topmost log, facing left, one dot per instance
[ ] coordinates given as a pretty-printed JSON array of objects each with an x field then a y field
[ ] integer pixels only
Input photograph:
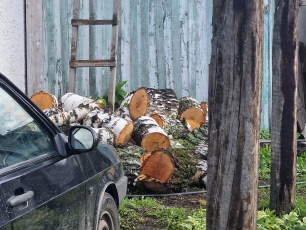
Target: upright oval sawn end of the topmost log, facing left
[{"x": 139, "y": 104}]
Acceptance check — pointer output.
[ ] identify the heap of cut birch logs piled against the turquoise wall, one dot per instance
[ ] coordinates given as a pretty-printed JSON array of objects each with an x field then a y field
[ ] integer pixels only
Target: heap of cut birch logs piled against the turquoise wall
[{"x": 161, "y": 140}]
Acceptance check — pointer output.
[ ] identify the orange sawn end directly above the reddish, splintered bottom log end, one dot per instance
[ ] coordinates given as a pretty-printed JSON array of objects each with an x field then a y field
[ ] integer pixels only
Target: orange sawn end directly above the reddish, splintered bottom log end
[{"x": 154, "y": 141}]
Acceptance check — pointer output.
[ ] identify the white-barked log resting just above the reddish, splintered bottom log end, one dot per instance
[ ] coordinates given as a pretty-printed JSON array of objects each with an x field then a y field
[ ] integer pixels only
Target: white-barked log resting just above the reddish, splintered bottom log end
[{"x": 148, "y": 134}]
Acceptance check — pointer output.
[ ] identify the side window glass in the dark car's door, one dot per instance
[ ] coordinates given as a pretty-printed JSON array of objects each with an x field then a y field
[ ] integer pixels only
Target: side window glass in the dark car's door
[{"x": 21, "y": 137}]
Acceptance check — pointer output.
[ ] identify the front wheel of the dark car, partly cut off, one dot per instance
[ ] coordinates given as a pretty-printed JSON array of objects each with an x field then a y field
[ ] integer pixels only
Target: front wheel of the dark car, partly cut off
[{"x": 108, "y": 214}]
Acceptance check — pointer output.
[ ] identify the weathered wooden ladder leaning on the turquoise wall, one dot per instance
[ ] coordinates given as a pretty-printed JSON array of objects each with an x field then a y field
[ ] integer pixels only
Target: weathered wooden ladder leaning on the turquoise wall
[{"x": 112, "y": 62}]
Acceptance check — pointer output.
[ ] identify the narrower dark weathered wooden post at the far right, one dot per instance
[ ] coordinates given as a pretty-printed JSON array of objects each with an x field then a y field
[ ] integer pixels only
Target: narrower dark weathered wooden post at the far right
[{"x": 283, "y": 126}]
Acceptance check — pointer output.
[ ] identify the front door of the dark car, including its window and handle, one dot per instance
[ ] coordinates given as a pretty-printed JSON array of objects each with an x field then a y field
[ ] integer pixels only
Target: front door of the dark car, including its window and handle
[{"x": 40, "y": 187}]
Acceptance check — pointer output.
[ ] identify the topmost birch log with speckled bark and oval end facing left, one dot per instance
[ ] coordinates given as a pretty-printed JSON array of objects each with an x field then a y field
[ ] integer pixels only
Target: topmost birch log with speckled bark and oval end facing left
[{"x": 147, "y": 101}]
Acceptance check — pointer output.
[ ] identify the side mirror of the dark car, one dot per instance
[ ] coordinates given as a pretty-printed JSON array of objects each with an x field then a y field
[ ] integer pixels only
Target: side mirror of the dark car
[{"x": 82, "y": 139}]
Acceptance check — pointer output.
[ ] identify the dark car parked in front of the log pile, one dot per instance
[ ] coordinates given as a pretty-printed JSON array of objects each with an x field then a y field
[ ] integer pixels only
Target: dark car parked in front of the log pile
[{"x": 49, "y": 180}]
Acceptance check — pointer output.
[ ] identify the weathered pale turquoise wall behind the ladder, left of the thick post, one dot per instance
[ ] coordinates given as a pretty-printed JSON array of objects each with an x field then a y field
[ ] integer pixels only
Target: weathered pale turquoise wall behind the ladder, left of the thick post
[{"x": 162, "y": 44}]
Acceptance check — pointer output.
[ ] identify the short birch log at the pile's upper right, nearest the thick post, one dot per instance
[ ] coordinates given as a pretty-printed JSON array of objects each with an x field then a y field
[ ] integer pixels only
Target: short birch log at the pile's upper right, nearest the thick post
[{"x": 189, "y": 109}]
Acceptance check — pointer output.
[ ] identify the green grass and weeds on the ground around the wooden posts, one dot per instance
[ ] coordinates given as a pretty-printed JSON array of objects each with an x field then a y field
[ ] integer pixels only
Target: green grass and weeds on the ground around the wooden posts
[{"x": 136, "y": 213}]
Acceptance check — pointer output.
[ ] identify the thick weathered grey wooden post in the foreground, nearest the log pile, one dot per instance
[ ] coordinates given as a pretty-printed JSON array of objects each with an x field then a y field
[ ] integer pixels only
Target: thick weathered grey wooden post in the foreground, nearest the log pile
[{"x": 234, "y": 114}]
